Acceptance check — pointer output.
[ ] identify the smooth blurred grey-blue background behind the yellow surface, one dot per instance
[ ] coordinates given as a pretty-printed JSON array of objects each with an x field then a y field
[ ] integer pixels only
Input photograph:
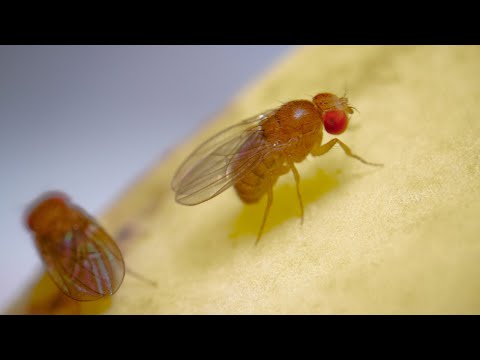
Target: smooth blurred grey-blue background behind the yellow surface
[{"x": 88, "y": 120}]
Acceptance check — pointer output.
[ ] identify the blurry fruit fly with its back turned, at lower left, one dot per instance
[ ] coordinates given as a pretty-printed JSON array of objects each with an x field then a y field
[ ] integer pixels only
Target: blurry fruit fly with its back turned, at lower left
[{"x": 80, "y": 257}]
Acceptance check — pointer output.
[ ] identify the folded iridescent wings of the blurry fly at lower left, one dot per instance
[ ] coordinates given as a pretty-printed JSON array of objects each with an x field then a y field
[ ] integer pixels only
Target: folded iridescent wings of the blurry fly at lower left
[{"x": 85, "y": 264}]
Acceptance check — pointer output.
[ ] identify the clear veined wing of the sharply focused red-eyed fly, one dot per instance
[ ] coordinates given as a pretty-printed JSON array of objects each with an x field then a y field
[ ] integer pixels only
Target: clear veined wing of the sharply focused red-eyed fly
[{"x": 221, "y": 161}]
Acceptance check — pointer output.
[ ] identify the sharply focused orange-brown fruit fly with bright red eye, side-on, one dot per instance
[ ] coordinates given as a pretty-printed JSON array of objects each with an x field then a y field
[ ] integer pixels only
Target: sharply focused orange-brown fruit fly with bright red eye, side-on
[{"x": 253, "y": 154}]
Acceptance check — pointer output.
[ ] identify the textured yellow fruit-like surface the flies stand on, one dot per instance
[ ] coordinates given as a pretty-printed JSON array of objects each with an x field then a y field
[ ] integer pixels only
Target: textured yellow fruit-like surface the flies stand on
[{"x": 404, "y": 238}]
